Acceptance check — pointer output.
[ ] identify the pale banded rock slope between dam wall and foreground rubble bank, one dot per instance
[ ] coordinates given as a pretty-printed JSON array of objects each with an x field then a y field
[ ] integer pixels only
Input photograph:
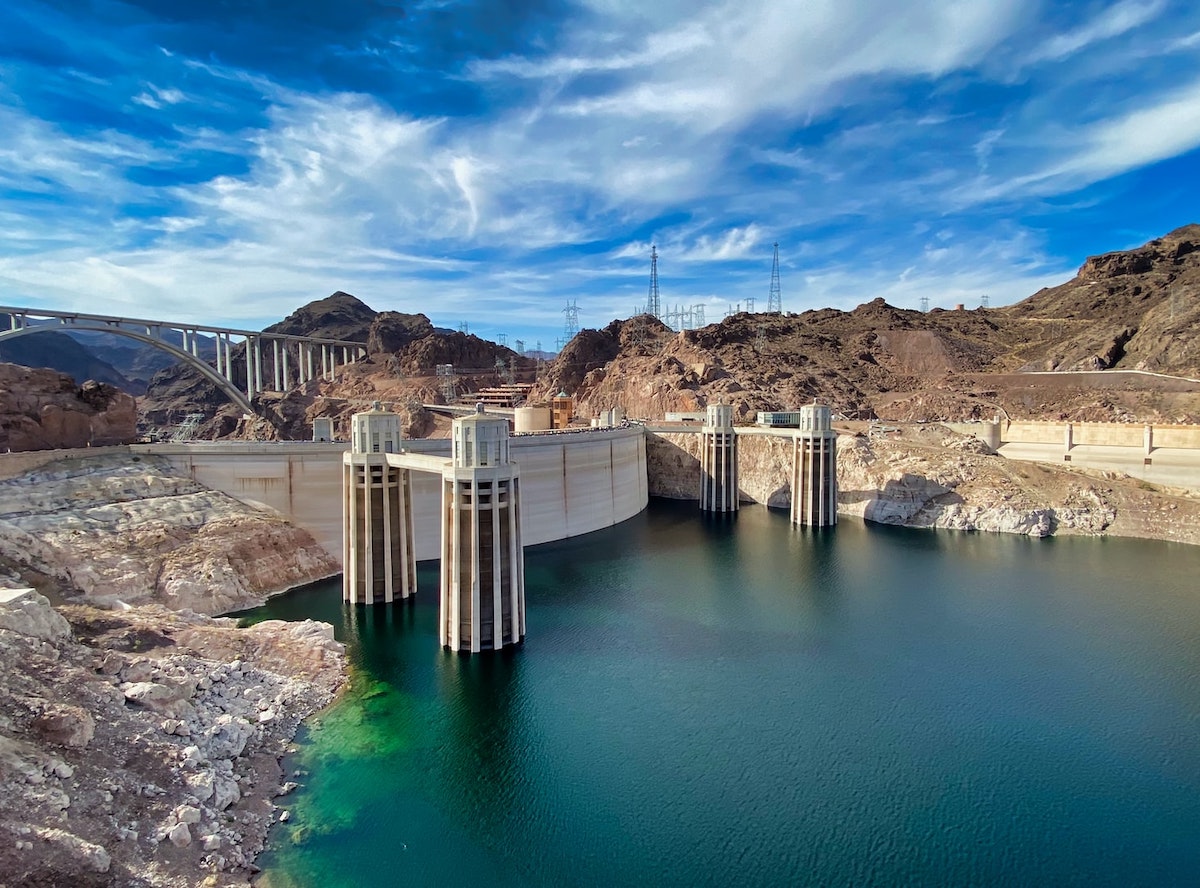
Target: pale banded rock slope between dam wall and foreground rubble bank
[{"x": 130, "y": 529}]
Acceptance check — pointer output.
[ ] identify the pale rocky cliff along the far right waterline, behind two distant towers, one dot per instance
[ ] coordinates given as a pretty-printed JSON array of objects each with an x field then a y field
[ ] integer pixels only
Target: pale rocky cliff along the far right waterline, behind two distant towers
[{"x": 929, "y": 477}]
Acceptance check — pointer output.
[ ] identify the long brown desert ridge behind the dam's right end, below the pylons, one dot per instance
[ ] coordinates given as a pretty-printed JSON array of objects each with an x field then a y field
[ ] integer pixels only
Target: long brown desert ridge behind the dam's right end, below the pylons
[{"x": 1132, "y": 310}]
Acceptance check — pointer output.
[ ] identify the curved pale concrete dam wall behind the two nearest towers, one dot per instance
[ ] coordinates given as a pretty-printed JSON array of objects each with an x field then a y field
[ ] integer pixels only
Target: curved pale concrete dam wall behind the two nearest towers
[{"x": 572, "y": 484}]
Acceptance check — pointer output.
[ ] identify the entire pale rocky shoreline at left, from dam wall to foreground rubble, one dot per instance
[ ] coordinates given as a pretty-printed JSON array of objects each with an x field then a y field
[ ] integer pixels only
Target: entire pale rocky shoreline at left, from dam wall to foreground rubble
[{"x": 140, "y": 739}]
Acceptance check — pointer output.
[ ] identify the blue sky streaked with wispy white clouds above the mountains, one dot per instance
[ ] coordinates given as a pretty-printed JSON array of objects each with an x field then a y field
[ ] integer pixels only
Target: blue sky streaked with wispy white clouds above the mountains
[{"x": 485, "y": 163}]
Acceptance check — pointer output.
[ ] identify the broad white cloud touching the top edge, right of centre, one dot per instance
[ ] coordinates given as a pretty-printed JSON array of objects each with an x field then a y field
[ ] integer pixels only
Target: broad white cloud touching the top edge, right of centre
[{"x": 733, "y": 62}]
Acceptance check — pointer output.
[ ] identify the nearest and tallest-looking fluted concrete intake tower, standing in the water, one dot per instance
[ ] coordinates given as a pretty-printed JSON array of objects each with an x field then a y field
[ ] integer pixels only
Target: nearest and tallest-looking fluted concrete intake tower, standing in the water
[{"x": 483, "y": 562}]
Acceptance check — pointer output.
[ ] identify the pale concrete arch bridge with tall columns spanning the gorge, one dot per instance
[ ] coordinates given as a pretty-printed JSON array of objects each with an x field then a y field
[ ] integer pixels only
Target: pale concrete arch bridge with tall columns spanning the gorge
[{"x": 291, "y": 359}]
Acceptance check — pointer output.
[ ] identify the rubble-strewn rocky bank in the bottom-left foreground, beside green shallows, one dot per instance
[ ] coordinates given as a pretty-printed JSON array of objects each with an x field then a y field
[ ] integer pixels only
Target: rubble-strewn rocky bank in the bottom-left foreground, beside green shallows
[{"x": 142, "y": 748}]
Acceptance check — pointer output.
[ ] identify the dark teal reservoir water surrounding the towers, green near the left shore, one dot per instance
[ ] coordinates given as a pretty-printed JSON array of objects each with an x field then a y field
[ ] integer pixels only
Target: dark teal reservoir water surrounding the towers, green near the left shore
[{"x": 742, "y": 703}]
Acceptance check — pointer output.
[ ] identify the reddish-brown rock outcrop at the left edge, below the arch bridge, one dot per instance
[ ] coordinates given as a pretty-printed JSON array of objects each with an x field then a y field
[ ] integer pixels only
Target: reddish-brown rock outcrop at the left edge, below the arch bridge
[{"x": 43, "y": 410}]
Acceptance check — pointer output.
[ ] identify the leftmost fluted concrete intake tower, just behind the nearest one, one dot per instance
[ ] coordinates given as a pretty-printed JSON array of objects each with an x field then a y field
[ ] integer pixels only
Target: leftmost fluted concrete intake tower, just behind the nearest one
[{"x": 379, "y": 560}]
